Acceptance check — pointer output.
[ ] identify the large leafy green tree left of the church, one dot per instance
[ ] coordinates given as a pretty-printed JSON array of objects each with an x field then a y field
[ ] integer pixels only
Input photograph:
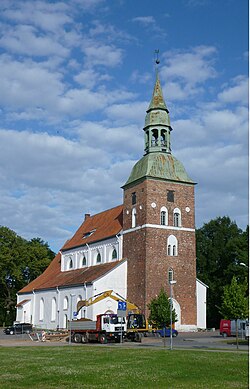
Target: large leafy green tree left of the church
[{"x": 21, "y": 261}]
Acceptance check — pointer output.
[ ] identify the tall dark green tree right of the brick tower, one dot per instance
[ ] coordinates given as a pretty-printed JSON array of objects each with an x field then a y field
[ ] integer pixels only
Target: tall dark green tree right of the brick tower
[{"x": 221, "y": 246}]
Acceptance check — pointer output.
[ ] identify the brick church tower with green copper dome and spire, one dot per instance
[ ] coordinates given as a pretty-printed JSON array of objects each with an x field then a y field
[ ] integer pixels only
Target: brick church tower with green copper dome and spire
[{"x": 159, "y": 221}]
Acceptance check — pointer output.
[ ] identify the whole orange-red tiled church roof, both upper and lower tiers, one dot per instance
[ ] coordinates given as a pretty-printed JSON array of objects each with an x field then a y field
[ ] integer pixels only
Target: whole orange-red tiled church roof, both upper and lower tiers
[{"x": 97, "y": 227}]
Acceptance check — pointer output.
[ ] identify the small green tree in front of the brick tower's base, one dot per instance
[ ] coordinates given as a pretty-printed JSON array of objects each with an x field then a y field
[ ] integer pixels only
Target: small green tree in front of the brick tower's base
[{"x": 160, "y": 311}]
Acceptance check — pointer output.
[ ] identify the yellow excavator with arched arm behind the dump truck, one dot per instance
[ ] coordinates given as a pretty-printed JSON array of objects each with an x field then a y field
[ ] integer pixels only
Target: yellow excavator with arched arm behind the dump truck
[{"x": 135, "y": 324}]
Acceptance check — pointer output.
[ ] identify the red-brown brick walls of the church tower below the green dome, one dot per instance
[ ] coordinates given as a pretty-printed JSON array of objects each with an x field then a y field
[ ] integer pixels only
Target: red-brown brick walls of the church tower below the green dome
[{"x": 146, "y": 248}]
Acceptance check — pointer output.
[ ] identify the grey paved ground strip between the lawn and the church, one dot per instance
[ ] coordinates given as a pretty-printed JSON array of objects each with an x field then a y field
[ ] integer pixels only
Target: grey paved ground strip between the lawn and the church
[{"x": 195, "y": 340}]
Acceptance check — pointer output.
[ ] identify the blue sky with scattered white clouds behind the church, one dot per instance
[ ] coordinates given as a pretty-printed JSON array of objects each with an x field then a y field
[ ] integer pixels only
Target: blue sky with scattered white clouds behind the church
[{"x": 77, "y": 77}]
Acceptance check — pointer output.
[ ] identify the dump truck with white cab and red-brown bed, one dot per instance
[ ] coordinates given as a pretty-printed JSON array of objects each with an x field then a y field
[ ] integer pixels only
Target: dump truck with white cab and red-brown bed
[{"x": 107, "y": 327}]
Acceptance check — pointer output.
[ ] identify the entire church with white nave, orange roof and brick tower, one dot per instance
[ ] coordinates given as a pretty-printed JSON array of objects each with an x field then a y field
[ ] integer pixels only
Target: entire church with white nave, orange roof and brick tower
[{"x": 134, "y": 249}]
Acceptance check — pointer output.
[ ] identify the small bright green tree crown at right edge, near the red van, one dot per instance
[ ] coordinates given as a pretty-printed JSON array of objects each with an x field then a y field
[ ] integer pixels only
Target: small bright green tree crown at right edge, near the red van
[{"x": 235, "y": 301}]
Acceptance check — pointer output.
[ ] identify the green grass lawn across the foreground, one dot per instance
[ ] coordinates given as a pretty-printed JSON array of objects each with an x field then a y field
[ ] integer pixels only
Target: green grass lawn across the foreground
[{"x": 110, "y": 367}]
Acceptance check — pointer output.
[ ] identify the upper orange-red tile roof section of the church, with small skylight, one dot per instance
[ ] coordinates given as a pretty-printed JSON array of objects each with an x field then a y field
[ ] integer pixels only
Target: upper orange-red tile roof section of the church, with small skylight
[{"x": 97, "y": 227}]
